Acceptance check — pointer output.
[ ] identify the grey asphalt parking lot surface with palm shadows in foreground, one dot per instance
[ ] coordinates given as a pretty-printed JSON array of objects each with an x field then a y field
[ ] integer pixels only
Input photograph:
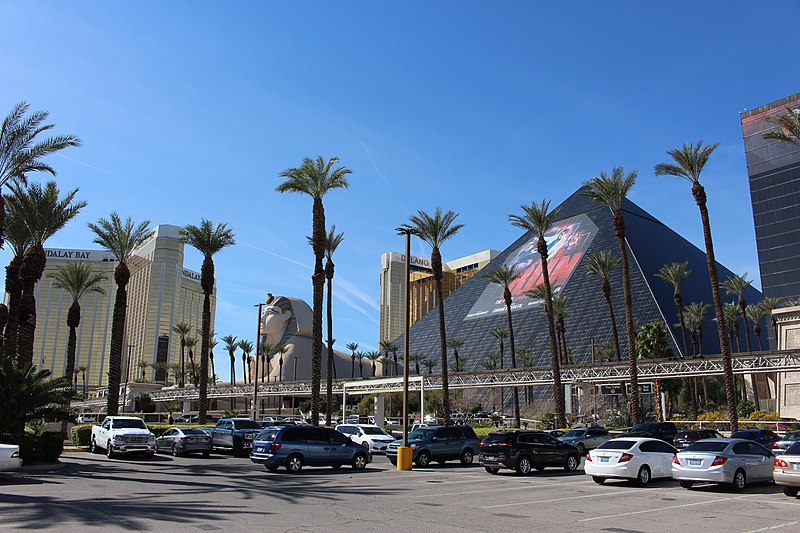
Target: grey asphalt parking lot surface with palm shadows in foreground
[{"x": 227, "y": 493}]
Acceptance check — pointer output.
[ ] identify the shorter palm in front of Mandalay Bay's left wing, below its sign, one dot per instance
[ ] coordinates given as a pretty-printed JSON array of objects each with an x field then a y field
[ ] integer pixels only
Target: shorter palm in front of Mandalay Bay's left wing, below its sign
[{"x": 77, "y": 279}]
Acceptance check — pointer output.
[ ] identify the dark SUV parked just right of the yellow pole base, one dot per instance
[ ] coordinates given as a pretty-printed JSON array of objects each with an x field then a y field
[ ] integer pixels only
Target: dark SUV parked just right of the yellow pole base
[{"x": 440, "y": 444}]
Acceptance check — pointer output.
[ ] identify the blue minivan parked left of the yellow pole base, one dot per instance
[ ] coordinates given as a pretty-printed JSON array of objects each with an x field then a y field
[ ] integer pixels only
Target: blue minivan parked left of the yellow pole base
[{"x": 294, "y": 447}]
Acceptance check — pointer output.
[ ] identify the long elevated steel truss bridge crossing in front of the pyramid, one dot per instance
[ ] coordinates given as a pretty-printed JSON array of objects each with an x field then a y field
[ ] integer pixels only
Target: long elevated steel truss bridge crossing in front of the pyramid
[{"x": 743, "y": 363}]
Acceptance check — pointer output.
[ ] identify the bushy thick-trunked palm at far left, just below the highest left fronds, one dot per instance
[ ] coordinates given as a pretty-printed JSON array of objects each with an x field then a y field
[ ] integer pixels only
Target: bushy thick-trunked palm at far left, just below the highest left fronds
[{"x": 43, "y": 214}]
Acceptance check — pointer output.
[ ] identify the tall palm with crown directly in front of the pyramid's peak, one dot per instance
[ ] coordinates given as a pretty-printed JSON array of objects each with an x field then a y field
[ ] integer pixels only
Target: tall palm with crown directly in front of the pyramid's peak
[{"x": 611, "y": 191}]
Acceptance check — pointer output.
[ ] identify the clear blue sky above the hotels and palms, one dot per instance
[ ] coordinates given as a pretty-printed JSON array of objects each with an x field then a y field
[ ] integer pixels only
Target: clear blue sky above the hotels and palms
[{"x": 192, "y": 109}]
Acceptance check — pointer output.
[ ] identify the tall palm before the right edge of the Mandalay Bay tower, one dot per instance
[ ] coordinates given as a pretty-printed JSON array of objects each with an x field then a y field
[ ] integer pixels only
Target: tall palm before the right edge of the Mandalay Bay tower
[{"x": 208, "y": 240}]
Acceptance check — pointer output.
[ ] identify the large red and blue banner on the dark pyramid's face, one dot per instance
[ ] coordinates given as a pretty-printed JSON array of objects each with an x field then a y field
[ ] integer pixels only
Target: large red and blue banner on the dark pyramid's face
[{"x": 567, "y": 243}]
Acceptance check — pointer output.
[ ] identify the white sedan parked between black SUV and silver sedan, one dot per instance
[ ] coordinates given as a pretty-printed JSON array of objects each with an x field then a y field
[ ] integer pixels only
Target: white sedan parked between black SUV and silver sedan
[{"x": 640, "y": 459}]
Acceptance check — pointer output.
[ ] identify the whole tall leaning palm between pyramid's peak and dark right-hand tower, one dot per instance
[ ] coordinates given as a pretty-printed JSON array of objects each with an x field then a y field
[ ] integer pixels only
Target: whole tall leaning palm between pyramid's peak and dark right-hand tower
[{"x": 688, "y": 164}]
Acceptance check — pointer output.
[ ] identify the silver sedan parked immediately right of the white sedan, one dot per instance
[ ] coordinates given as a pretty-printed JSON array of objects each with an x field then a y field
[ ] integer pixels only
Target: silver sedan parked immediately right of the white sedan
[{"x": 734, "y": 462}]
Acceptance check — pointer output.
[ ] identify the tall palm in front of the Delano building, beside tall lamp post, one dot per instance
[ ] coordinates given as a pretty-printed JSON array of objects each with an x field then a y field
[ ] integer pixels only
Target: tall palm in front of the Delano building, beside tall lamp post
[{"x": 436, "y": 230}]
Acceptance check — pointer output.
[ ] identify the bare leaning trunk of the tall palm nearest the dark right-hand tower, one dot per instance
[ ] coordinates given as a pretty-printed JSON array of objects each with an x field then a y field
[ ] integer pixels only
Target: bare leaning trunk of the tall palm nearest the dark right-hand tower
[{"x": 730, "y": 387}]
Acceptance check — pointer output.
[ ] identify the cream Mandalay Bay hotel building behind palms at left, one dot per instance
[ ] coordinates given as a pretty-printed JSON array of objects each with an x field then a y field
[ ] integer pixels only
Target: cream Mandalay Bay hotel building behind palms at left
[{"x": 161, "y": 294}]
